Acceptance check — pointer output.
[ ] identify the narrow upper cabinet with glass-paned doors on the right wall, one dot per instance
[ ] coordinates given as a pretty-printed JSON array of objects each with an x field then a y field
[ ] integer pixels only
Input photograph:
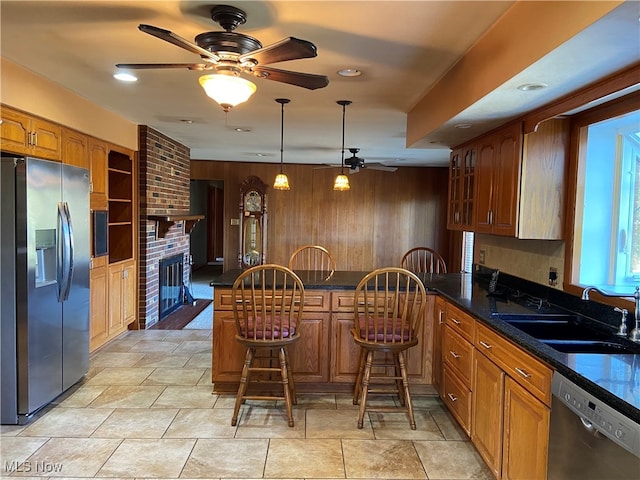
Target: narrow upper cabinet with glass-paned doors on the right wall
[{"x": 461, "y": 188}]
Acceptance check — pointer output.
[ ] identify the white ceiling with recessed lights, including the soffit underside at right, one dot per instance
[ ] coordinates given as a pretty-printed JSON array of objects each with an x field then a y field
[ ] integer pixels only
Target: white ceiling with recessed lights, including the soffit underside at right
[{"x": 402, "y": 48}]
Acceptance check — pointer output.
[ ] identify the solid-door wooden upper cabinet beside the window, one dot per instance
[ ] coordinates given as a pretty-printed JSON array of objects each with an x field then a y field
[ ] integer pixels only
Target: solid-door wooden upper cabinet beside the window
[{"x": 519, "y": 181}]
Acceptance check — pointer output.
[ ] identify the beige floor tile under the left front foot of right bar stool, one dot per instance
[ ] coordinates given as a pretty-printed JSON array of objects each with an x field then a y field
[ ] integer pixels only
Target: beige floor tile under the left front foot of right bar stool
[{"x": 323, "y": 423}]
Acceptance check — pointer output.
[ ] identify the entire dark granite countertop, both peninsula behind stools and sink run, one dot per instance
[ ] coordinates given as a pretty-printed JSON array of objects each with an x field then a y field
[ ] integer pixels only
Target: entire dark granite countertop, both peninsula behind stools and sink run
[{"x": 614, "y": 379}]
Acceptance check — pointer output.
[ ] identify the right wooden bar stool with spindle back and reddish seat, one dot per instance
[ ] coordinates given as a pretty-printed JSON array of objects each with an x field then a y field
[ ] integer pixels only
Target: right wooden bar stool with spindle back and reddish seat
[{"x": 389, "y": 308}]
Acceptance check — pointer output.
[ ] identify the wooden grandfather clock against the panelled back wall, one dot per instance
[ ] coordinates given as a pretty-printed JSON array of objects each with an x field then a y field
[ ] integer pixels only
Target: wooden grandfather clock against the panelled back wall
[{"x": 253, "y": 223}]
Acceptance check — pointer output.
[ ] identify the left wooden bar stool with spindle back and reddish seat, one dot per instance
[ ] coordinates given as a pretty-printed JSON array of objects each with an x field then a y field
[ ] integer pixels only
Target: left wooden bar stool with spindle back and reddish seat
[{"x": 267, "y": 305}]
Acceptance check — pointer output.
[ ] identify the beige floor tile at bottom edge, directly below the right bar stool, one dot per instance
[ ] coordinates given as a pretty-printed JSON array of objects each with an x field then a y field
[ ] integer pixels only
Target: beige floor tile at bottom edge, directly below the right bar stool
[{"x": 388, "y": 459}]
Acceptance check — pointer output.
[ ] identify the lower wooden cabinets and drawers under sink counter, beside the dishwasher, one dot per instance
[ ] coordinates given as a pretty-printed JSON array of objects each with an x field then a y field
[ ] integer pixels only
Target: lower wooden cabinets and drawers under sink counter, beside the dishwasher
[{"x": 506, "y": 406}]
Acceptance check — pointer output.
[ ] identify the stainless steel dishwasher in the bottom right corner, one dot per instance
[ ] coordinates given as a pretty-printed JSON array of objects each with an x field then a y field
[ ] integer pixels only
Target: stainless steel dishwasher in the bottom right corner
[{"x": 588, "y": 439}]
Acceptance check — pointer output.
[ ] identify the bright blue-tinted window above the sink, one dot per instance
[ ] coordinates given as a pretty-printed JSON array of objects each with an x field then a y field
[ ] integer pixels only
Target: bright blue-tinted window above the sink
[{"x": 606, "y": 239}]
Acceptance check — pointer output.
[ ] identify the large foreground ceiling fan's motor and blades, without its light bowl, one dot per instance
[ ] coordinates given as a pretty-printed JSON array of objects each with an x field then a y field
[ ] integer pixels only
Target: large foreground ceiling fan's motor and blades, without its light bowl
[{"x": 233, "y": 53}]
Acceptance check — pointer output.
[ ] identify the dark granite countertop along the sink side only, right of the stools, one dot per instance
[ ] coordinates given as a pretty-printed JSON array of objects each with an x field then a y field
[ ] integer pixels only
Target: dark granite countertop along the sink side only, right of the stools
[{"x": 614, "y": 379}]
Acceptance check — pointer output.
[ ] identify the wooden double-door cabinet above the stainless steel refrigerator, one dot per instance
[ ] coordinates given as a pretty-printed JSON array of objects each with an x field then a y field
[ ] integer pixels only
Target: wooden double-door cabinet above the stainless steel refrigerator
[{"x": 25, "y": 134}]
